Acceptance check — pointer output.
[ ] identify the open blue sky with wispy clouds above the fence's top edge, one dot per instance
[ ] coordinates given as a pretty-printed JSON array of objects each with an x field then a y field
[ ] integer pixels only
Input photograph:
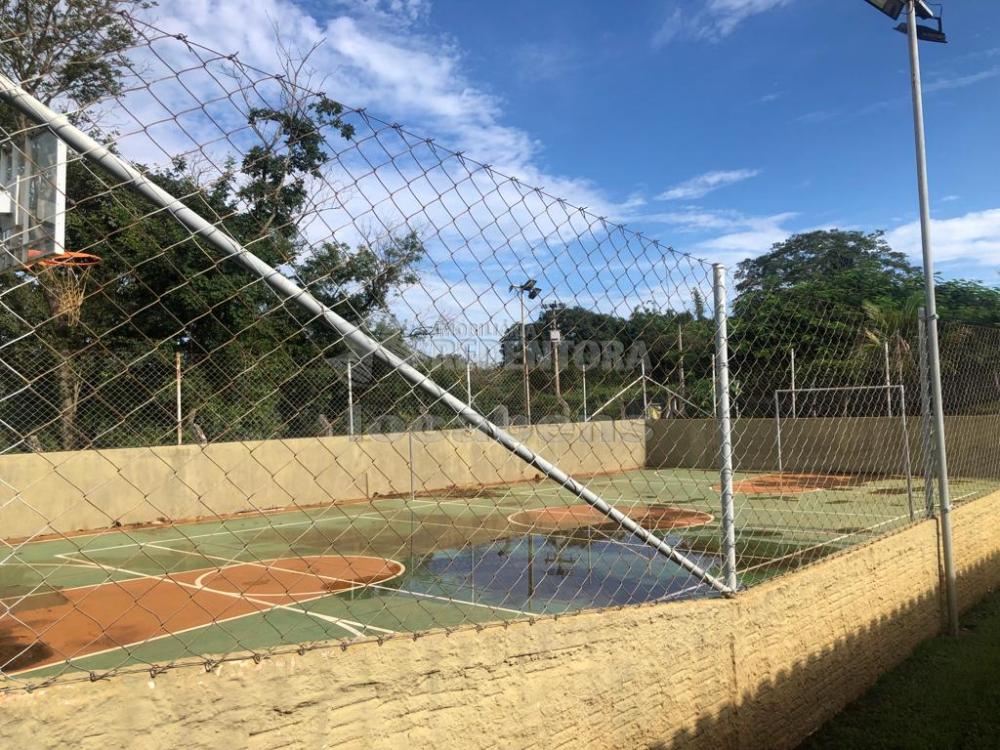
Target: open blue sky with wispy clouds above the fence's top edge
[{"x": 715, "y": 126}]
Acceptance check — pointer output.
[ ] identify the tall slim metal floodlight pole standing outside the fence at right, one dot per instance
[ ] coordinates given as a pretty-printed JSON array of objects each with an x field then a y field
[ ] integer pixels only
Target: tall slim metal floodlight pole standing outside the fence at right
[{"x": 930, "y": 303}]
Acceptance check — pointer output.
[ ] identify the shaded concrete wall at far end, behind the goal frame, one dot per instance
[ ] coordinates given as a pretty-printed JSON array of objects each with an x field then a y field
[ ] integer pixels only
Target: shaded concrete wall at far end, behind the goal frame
[{"x": 849, "y": 445}]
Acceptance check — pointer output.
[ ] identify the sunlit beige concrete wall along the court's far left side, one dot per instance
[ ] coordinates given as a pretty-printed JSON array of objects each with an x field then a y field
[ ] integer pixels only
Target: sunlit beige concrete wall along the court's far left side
[{"x": 75, "y": 490}]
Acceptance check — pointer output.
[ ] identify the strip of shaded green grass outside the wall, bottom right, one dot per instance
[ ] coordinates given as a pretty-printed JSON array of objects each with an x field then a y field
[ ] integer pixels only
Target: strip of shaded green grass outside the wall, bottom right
[{"x": 947, "y": 695}]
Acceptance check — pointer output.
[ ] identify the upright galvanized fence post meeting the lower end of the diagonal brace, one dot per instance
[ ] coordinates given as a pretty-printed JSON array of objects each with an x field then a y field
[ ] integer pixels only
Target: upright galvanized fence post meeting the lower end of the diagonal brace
[{"x": 725, "y": 430}]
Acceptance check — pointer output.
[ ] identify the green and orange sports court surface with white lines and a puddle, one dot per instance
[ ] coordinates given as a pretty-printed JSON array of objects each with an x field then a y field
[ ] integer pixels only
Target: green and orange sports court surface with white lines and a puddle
[{"x": 463, "y": 562}]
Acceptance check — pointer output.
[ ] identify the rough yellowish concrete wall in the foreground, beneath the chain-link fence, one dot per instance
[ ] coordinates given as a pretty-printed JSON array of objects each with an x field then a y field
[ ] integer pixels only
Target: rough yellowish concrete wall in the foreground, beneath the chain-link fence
[{"x": 762, "y": 670}]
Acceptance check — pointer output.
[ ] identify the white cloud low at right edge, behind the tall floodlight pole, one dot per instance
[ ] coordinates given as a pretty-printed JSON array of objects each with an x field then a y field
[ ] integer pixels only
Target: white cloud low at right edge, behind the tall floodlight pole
[{"x": 972, "y": 238}]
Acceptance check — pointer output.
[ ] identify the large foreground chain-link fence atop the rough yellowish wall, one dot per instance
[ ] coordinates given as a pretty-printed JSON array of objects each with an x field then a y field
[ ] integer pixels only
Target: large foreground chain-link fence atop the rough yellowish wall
[{"x": 305, "y": 378}]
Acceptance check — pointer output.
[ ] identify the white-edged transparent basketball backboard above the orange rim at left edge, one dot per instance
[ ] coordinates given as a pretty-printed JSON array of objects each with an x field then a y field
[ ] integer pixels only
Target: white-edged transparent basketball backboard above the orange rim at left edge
[{"x": 32, "y": 198}]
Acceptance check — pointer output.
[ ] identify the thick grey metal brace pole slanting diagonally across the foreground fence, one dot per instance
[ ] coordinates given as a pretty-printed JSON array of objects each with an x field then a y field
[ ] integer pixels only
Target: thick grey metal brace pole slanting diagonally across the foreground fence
[{"x": 131, "y": 178}]
